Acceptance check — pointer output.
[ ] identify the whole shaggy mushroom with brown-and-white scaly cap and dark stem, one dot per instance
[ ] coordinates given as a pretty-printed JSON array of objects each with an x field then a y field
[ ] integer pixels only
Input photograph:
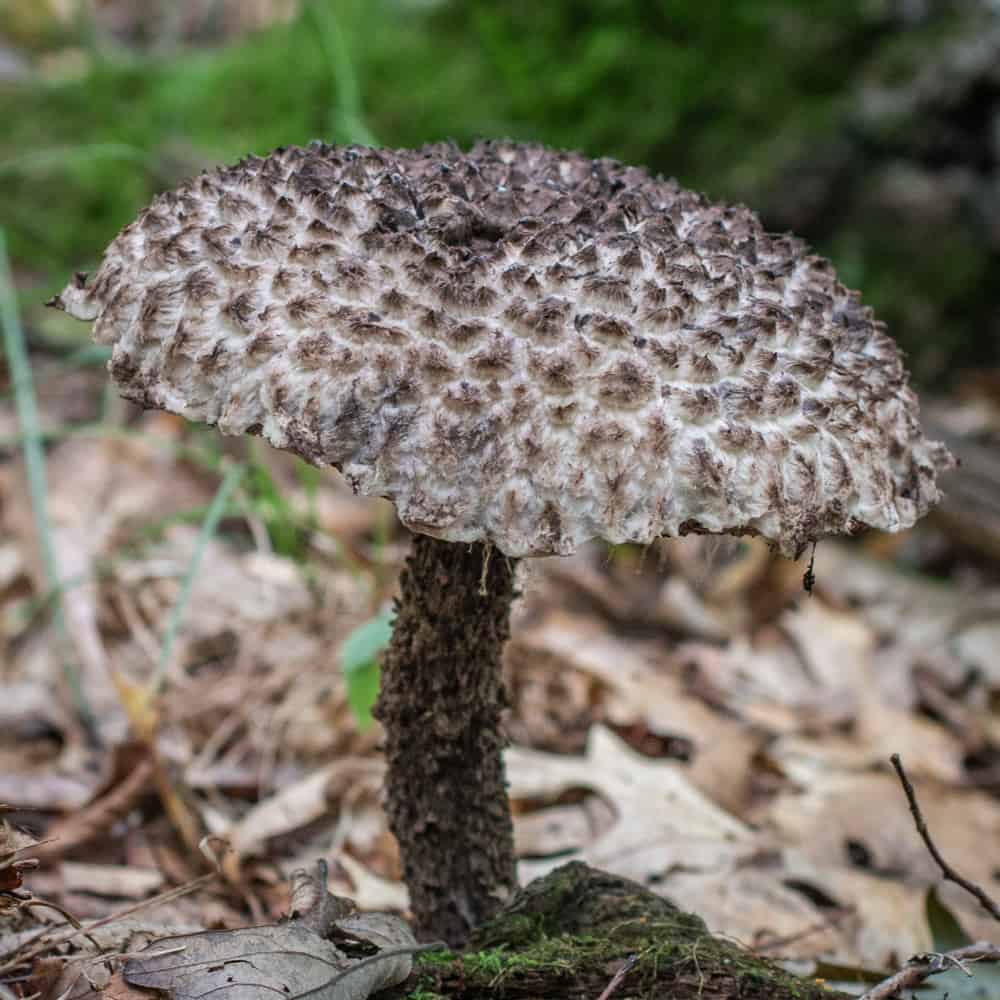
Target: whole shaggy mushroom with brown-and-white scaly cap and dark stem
[{"x": 523, "y": 350}]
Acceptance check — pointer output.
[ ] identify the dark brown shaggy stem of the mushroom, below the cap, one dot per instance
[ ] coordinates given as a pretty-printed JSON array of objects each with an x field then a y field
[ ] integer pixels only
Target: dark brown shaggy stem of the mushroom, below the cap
[{"x": 441, "y": 700}]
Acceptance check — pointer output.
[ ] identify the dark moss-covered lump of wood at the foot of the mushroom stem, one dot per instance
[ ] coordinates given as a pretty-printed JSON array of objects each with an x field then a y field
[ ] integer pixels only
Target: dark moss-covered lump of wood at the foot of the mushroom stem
[{"x": 567, "y": 934}]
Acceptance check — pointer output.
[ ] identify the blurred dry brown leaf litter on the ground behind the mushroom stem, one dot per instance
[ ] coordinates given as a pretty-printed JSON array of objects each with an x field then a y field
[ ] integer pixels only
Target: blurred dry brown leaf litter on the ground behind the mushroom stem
[{"x": 685, "y": 716}]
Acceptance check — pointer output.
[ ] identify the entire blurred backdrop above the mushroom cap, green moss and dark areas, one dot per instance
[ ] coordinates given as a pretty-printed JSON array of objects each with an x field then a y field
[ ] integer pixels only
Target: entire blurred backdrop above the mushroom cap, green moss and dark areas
[{"x": 872, "y": 127}]
